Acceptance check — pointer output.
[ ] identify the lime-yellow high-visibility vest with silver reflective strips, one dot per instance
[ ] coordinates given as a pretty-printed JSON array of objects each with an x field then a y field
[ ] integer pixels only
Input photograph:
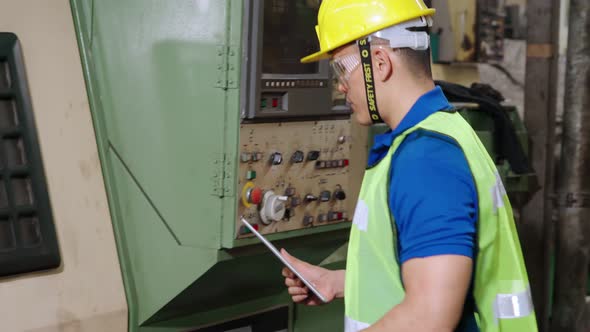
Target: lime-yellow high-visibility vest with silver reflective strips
[{"x": 373, "y": 279}]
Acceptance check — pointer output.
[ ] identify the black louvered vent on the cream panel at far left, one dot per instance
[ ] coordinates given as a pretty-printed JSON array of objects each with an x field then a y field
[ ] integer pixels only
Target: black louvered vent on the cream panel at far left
[{"x": 28, "y": 240}]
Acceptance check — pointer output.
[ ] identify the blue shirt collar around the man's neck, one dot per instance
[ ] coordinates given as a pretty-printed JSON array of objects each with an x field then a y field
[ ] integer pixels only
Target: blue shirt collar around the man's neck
[{"x": 429, "y": 103}]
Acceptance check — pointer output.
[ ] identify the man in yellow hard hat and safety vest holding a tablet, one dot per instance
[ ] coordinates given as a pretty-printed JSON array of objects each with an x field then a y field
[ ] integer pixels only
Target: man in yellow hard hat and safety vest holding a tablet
[{"x": 433, "y": 246}]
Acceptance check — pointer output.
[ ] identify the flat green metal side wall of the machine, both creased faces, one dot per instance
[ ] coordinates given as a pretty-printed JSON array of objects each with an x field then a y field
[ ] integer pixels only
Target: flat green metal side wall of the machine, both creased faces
[{"x": 161, "y": 125}]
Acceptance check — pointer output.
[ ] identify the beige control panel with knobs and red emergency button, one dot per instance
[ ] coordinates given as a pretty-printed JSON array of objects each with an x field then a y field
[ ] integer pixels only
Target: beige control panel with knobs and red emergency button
[{"x": 294, "y": 175}]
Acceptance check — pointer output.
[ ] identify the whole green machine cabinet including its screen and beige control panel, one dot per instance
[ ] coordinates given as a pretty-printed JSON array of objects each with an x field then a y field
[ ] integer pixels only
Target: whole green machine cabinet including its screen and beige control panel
[{"x": 204, "y": 114}]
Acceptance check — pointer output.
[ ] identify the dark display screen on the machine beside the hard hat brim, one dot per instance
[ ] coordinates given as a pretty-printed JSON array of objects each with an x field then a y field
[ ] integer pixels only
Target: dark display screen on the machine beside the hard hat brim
[{"x": 289, "y": 35}]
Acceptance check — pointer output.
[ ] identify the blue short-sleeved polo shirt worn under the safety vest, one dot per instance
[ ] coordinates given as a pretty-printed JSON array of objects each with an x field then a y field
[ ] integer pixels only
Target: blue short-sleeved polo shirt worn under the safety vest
[{"x": 432, "y": 194}]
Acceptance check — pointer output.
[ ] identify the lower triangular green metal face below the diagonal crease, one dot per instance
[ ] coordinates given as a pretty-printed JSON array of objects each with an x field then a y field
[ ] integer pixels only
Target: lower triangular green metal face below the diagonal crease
[{"x": 154, "y": 260}]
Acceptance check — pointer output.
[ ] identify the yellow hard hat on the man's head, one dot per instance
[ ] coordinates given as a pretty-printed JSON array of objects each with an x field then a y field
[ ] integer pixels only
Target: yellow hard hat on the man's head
[{"x": 343, "y": 21}]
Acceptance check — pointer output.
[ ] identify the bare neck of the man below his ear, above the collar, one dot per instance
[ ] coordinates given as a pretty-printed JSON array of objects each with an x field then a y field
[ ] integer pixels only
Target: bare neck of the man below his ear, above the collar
[{"x": 401, "y": 95}]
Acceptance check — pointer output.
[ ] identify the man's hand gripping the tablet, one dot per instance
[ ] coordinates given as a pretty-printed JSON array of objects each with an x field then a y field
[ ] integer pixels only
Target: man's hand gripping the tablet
[{"x": 329, "y": 283}]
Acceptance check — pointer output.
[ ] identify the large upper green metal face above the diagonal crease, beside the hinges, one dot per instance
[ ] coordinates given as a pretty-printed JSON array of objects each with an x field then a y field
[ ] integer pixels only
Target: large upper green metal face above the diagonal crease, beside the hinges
[{"x": 164, "y": 111}]
